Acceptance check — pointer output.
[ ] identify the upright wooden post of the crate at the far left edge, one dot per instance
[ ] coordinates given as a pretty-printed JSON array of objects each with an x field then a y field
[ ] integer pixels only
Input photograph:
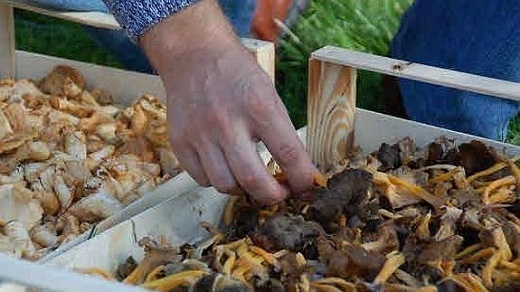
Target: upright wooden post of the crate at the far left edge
[{"x": 7, "y": 55}]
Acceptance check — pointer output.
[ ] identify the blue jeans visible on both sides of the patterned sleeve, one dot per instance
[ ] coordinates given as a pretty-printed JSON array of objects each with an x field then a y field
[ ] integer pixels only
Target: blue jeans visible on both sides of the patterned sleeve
[{"x": 239, "y": 12}]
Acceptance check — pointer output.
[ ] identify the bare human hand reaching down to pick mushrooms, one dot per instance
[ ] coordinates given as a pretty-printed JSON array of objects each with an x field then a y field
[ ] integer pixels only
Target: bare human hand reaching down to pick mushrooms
[{"x": 220, "y": 103}]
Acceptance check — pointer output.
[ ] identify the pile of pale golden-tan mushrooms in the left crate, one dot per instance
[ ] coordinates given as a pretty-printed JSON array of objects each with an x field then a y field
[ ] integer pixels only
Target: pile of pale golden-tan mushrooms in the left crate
[{"x": 70, "y": 157}]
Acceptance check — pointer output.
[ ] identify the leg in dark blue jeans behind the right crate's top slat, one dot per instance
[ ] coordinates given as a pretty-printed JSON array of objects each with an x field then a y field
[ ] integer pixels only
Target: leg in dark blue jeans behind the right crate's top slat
[{"x": 478, "y": 37}]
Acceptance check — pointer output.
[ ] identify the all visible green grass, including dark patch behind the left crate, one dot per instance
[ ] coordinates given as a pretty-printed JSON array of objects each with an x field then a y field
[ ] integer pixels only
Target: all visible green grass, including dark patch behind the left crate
[{"x": 362, "y": 25}]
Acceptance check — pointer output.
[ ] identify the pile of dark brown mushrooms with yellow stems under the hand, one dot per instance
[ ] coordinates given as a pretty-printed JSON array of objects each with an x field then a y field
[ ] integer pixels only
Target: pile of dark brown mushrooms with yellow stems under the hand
[{"x": 442, "y": 218}]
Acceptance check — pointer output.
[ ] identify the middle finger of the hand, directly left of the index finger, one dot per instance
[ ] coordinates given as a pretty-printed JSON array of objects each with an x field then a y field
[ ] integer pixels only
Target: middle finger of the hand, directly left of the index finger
[{"x": 250, "y": 171}]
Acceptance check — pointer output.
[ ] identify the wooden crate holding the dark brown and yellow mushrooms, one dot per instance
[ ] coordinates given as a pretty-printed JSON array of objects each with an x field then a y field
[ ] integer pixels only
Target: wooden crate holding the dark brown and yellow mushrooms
[{"x": 334, "y": 125}]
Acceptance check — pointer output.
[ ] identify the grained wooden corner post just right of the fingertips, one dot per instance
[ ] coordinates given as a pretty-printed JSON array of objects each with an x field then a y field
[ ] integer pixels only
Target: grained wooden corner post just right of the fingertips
[{"x": 331, "y": 113}]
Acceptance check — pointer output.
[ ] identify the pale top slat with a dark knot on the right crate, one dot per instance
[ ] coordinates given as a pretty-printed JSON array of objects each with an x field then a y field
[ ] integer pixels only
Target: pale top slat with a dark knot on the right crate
[{"x": 419, "y": 72}]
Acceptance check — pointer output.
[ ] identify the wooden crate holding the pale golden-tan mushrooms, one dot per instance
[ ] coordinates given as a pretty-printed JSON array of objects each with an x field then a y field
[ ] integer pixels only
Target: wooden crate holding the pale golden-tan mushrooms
[{"x": 125, "y": 86}]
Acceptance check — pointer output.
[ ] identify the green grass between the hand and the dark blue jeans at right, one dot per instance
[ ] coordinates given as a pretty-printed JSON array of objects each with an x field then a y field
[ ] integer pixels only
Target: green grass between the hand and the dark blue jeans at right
[{"x": 361, "y": 25}]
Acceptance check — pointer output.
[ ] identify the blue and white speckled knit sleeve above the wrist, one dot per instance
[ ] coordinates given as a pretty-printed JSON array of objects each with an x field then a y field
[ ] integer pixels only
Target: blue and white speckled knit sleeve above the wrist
[{"x": 137, "y": 16}]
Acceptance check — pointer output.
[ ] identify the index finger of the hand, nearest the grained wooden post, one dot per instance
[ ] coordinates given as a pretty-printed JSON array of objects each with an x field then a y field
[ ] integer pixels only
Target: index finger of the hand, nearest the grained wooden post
[{"x": 280, "y": 137}]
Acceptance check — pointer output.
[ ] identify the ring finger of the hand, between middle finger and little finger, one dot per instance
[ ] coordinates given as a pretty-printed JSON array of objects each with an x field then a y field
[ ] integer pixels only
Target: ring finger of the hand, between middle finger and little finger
[{"x": 216, "y": 167}]
